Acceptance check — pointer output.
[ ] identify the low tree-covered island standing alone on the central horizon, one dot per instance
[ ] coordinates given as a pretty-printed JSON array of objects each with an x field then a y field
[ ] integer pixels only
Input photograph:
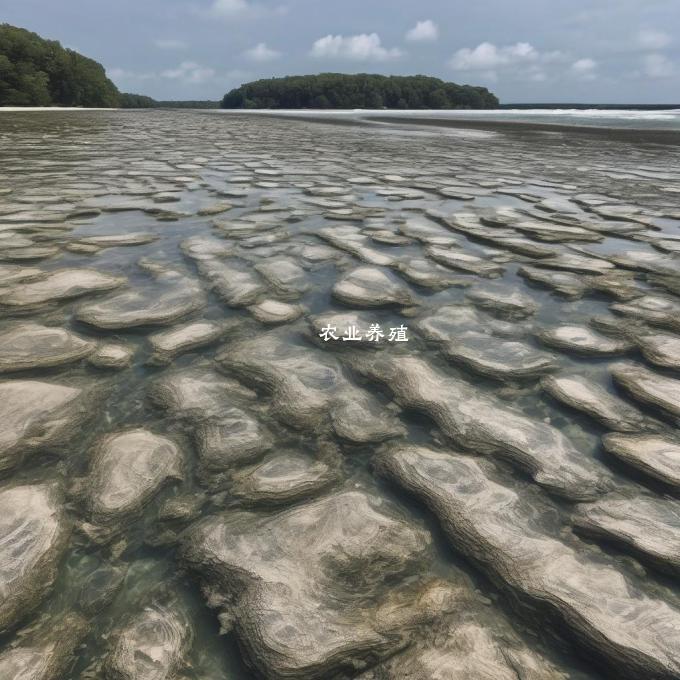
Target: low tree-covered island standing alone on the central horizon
[{"x": 341, "y": 91}]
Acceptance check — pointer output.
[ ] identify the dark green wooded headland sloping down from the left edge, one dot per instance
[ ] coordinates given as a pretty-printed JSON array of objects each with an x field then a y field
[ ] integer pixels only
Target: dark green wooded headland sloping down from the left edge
[{"x": 39, "y": 72}]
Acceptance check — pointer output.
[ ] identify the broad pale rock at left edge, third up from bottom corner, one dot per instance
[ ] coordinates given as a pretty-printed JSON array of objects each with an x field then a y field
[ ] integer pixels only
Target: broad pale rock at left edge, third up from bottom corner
[{"x": 37, "y": 416}]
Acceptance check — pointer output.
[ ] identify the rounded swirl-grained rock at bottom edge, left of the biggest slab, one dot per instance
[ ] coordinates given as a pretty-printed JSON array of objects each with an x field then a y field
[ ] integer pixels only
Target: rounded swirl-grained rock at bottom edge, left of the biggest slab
[{"x": 152, "y": 646}]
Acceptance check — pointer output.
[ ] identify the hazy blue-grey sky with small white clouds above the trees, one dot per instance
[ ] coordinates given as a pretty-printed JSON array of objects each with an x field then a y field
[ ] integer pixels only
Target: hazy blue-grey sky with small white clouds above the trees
[{"x": 595, "y": 51}]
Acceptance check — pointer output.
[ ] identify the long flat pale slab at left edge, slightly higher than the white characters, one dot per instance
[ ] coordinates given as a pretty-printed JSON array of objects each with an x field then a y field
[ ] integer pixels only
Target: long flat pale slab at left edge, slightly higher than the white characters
[{"x": 61, "y": 284}]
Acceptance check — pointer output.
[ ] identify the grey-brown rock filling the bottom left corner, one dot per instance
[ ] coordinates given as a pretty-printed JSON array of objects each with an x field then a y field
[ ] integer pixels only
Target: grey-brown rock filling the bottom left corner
[{"x": 45, "y": 653}]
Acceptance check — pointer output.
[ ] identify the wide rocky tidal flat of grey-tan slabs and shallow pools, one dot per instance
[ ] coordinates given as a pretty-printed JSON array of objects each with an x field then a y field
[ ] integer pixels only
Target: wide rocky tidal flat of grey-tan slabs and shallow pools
[{"x": 478, "y": 478}]
